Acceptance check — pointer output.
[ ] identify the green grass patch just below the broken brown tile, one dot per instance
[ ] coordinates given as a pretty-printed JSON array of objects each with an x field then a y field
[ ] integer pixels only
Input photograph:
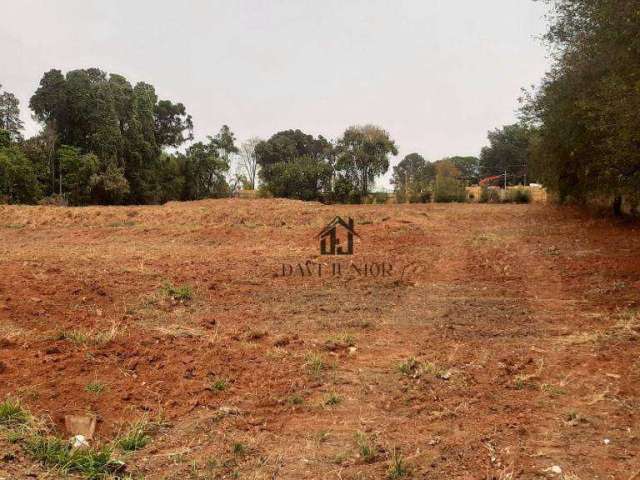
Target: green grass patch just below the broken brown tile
[{"x": 54, "y": 452}]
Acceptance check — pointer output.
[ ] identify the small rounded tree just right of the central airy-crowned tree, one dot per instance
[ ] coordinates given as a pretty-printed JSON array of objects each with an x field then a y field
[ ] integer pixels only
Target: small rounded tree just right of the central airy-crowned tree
[{"x": 413, "y": 178}]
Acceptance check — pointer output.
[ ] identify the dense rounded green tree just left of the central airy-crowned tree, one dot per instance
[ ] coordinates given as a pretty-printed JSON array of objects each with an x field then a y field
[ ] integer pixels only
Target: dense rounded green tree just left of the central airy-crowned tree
[{"x": 295, "y": 165}]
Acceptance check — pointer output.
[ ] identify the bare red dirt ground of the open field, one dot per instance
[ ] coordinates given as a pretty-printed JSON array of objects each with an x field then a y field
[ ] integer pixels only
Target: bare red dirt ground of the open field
[{"x": 525, "y": 317}]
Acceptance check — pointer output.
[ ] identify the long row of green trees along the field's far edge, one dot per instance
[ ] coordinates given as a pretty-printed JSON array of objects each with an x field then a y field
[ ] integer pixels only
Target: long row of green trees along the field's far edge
[{"x": 106, "y": 141}]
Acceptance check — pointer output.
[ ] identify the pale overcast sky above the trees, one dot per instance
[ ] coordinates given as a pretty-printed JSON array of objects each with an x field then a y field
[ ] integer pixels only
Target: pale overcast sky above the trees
[{"x": 436, "y": 74}]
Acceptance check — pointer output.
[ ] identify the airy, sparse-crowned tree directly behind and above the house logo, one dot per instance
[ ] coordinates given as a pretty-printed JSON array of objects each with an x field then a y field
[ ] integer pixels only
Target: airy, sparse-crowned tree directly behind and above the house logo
[{"x": 363, "y": 154}]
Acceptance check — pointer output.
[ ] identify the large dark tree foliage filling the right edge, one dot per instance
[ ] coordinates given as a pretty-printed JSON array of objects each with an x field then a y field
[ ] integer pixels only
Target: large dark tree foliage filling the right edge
[{"x": 586, "y": 110}]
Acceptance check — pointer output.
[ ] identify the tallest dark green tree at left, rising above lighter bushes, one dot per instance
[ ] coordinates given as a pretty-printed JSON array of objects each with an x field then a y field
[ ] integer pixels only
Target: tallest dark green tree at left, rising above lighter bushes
[{"x": 125, "y": 127}]
